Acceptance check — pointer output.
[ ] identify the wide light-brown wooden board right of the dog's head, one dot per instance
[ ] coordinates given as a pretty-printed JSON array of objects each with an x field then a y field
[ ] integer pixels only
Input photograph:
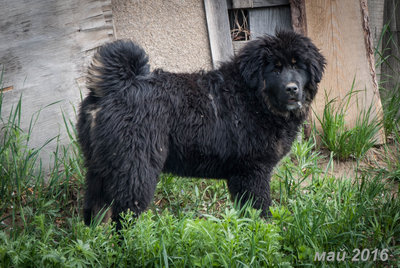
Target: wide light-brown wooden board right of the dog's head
[{"x": 340, "y": 29}]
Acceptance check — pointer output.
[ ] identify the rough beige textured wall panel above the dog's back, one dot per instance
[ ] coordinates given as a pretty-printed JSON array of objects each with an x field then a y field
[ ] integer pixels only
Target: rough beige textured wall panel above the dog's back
[{"x": 173, "y": 33}]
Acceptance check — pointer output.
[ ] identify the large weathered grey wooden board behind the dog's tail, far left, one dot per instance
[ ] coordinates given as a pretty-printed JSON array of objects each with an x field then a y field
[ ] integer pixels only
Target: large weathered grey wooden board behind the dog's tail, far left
[{"x": 44, "y": 48}]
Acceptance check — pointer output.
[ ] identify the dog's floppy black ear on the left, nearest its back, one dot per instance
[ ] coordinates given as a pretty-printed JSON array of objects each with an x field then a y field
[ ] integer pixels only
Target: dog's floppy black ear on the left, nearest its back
[{"x": 252, "y": 58}]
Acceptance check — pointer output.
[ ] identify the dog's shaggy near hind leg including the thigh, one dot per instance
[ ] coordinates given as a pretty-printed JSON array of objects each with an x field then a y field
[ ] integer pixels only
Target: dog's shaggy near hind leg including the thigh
[{"x": 130, "y": 145}]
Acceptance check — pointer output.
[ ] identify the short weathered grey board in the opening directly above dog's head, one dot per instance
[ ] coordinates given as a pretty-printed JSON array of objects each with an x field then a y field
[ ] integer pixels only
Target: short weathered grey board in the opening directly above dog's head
[{"x": 267, "y": 20}]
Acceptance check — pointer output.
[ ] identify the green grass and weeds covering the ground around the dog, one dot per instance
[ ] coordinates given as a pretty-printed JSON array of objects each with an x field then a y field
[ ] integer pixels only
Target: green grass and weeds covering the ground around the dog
[{"x": 193, "y": 222}]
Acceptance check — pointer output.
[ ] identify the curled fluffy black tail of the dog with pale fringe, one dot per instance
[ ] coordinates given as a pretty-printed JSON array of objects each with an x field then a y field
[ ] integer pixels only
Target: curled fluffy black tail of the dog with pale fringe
[{"x": 115, "y": 66}]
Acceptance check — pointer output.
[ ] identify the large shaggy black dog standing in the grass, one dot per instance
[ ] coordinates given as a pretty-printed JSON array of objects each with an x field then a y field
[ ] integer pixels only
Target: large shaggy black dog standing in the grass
[{"x": 234, "y": 123}]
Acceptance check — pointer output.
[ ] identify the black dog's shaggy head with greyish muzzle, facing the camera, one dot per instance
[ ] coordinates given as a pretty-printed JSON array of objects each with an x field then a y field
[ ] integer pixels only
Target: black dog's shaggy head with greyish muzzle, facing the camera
[{"x": 284, "y": 69}]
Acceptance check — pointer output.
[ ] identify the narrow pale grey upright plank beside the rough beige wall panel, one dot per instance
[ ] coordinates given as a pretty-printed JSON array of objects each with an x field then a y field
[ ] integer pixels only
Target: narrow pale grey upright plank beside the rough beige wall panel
[{"x": 218, "y": 31}]
